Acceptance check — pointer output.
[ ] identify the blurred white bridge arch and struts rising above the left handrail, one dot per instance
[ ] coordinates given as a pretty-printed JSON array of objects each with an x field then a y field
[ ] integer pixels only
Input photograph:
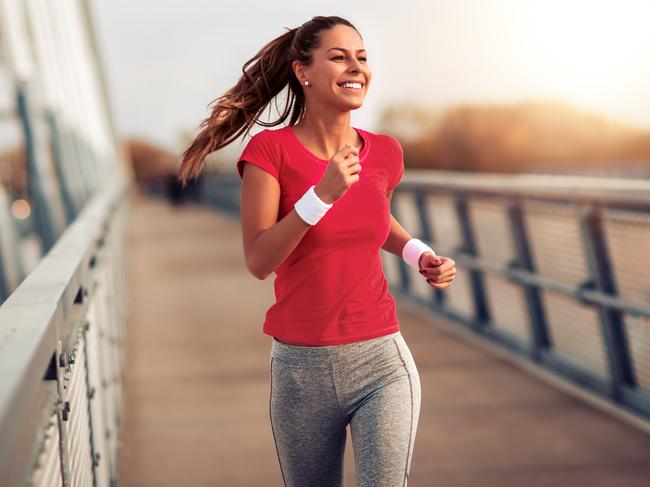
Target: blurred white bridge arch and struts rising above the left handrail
[{"x": 54, "y": 109}]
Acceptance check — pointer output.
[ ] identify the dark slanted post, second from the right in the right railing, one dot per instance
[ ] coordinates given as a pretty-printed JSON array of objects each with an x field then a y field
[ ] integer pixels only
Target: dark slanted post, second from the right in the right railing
[{"x": 536, "y": 318}]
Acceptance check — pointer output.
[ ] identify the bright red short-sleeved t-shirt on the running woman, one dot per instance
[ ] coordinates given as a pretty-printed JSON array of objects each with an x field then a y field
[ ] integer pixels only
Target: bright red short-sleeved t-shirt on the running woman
[{"x": 331, "y": 289}]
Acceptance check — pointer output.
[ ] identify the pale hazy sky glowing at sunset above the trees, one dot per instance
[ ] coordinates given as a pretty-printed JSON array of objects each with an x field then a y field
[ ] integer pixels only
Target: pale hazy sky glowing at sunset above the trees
[{"x": 166, "y": 61}]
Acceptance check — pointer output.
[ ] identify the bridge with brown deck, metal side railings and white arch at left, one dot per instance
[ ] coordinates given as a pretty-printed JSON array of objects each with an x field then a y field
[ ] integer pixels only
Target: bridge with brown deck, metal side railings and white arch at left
[{"x": 131, "y": 349}]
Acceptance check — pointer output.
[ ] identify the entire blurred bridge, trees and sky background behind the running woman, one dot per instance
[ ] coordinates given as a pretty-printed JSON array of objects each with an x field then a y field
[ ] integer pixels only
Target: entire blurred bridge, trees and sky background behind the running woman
[{"x": 130, "y": 341}]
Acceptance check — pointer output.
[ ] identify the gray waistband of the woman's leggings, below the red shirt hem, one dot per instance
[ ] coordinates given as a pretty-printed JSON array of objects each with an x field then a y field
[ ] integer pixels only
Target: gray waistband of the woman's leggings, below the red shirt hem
[{"x": 327, "y": 353}]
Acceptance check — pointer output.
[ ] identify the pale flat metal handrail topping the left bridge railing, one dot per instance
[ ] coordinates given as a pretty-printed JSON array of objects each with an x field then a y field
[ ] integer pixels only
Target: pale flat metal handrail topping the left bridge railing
[{"x": 38, "y": 312}]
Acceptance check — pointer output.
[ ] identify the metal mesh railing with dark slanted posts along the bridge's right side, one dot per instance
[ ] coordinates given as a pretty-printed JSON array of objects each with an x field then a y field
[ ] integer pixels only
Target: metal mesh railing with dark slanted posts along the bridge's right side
[{"x": 555, "y": 268}]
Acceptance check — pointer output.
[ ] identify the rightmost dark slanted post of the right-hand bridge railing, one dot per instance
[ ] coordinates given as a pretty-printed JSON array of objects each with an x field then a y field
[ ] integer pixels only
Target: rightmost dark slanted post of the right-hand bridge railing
[{"x": 611, "y": 320}]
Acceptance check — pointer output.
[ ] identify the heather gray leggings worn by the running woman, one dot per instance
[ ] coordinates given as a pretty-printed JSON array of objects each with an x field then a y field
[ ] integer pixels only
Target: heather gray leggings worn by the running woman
[{"x": 373, "y": 385}]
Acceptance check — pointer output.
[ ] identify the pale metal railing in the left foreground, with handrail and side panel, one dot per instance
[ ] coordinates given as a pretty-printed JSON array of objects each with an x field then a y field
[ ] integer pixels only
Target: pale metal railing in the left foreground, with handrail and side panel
[{"x": 61, "y": 355}]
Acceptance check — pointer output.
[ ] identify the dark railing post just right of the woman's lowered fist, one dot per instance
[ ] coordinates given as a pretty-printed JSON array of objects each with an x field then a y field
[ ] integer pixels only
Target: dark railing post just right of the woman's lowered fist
[{"x": 481, "y": 313}]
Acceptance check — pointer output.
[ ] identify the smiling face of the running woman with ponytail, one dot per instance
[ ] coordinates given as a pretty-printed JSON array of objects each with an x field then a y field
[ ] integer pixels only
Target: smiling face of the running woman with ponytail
[{"x": 341, "y": 57}]
